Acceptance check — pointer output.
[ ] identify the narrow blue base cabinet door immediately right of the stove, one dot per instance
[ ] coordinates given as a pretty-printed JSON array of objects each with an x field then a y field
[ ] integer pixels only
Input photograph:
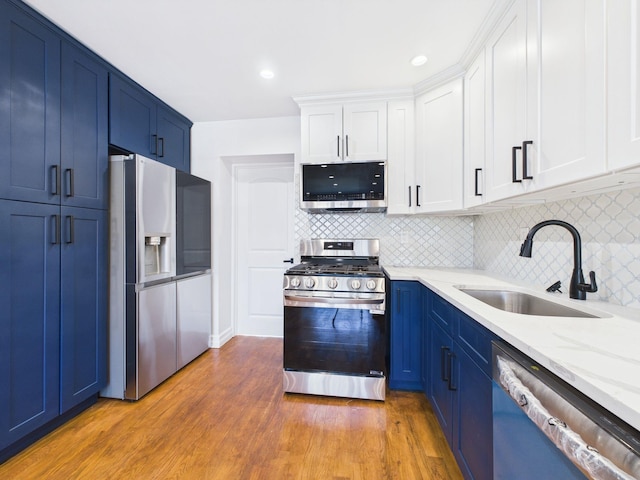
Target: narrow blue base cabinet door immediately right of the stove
[{"x": 406, "y": 336}]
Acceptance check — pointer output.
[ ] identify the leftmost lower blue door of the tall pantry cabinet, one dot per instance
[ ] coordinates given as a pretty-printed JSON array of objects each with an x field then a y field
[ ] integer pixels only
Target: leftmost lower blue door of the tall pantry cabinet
[{"x": 29, "y": 317}]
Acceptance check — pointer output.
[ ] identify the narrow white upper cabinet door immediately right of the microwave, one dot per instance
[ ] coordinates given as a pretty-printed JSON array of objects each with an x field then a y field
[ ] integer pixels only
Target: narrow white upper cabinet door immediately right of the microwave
[{"x": 401, "y": 172}]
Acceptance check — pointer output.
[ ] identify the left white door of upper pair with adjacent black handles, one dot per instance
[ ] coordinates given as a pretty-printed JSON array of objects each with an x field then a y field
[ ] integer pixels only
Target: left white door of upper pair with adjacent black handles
[{"x": 507, "y": 101}]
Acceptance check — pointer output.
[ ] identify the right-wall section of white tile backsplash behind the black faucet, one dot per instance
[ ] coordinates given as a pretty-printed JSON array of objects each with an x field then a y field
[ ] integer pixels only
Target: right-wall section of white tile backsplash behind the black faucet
[{"x": 609, "y": 225}]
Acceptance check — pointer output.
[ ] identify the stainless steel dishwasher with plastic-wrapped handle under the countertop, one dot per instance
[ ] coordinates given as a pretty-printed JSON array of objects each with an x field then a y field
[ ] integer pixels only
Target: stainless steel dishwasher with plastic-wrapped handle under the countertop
[{"x": 544, "y": 428}]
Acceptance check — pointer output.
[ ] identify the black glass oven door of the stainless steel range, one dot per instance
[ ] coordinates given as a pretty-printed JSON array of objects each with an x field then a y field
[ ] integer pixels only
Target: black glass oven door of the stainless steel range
[{"x": 335, "y": 339}]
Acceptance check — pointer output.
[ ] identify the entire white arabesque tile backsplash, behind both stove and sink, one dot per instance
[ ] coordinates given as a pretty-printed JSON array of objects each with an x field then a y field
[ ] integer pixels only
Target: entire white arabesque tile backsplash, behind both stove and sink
[{"x": 609, "y": 225}]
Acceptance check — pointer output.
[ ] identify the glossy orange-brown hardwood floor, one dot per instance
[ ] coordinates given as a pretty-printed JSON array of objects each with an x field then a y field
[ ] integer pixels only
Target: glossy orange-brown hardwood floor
[{"x": 225, "y": 416}]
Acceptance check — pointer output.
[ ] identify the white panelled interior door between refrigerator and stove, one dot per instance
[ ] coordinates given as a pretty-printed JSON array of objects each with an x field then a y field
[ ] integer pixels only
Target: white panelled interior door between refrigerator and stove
[{"x": 264, "y": 239}]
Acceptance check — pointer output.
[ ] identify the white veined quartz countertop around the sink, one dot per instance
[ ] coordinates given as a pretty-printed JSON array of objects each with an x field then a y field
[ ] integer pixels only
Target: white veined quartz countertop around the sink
[{"x": 598, "y": 356}]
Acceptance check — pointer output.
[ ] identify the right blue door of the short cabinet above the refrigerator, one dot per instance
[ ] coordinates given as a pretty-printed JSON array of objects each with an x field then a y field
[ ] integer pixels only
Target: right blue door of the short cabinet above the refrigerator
[{"x": 174, "y": 135}]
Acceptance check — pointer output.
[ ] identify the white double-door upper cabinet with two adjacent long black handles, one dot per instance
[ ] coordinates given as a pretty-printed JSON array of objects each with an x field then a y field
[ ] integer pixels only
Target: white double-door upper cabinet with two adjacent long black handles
[{"x": 546, "y": 114}]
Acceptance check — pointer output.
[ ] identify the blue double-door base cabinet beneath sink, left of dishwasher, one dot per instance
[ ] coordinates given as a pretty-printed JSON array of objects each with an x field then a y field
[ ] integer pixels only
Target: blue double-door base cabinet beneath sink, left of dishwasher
[{"x": 459, "y": 386}]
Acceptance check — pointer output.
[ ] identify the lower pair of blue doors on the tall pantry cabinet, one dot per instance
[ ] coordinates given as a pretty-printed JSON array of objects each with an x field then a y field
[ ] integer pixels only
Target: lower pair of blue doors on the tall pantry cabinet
[{"x": 53, "y": 316}]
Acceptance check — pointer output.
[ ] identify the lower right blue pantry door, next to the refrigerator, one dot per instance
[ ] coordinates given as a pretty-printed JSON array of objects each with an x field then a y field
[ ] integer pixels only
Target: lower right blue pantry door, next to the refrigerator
[{"x": 84, "y": 305}]
